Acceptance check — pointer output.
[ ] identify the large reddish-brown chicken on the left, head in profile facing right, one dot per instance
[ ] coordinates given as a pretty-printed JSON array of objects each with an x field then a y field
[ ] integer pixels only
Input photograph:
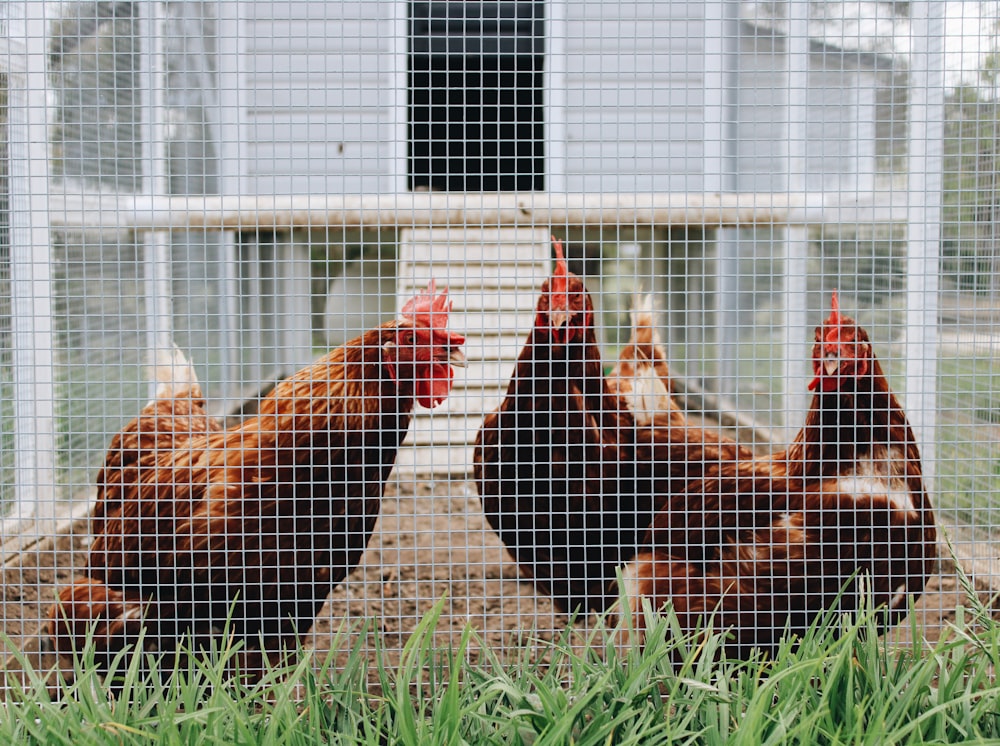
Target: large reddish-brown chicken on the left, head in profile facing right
[{"x": 262, "y": 520}]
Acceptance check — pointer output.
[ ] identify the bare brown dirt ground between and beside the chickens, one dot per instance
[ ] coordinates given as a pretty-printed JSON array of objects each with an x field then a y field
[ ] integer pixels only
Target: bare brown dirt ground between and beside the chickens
[{"x": 431, "y": 542}]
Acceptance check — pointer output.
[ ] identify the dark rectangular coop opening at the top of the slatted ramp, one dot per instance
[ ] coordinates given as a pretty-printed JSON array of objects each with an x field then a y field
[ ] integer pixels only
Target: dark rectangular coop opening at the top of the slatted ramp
[{"x": 476, "y": 96}]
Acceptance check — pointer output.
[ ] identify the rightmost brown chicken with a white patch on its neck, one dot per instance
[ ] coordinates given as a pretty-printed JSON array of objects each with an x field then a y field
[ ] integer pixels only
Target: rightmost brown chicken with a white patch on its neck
[{"x": 768, "y": 544}]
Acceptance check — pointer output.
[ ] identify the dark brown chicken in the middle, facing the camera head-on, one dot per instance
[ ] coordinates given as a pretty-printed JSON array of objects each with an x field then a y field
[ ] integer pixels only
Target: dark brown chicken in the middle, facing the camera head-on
[{"x": 567, "y": 478}]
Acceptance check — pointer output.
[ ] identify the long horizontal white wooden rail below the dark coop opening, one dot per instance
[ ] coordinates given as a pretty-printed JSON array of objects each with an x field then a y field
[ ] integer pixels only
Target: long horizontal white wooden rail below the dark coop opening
[{"x": 245, "y": 213}]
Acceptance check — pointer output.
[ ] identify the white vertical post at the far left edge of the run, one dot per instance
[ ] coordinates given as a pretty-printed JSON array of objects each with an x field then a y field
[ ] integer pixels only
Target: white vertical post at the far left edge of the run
[{"x": 31, "y": 273}]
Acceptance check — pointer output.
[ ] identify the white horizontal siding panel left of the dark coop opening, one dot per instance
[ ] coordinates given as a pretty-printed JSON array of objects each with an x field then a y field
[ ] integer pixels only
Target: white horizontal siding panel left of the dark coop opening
[{"x": 320, "y": 102}]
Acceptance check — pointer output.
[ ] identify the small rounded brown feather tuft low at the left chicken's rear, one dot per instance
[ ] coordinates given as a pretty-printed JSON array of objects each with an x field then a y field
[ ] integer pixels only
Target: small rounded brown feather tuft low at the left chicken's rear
[{"x": 90, "y": 610}]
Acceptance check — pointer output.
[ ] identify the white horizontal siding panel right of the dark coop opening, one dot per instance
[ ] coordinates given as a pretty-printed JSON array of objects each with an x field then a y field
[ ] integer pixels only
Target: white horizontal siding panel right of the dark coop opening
[{"x": 634, "y": 114}]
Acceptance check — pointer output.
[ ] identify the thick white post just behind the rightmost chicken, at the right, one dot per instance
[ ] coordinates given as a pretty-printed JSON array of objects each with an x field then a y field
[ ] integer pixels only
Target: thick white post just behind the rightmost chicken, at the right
[{"x": 926, "y": 140}]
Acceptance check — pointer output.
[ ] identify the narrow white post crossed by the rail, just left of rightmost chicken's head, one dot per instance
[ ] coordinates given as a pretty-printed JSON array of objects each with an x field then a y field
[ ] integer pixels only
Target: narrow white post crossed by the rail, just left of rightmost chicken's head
[{"x": 798, "y": 339}]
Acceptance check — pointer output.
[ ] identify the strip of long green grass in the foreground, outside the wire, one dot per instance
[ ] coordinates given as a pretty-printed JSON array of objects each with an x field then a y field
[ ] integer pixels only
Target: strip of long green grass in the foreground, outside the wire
[{"x": 846, "y": 688}]
